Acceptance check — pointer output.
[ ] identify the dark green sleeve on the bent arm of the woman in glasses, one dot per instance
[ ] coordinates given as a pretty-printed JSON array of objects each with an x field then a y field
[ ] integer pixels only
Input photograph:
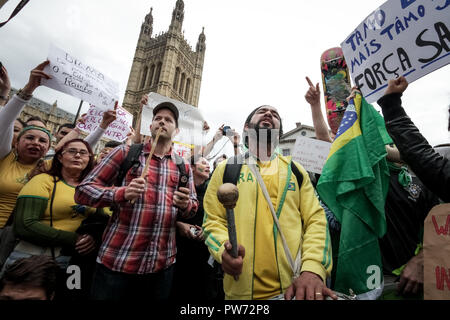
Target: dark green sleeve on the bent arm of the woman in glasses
[{"x": 28, "y": 226}]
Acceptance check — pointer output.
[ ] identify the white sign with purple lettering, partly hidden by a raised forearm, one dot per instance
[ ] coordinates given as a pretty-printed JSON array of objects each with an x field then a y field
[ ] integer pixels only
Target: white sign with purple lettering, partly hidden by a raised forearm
[{"x": 117, "y": 130}]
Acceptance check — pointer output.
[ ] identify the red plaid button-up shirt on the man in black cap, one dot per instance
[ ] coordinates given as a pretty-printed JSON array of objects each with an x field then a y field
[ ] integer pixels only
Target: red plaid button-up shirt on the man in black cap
[{"x": 140, "y": 237}]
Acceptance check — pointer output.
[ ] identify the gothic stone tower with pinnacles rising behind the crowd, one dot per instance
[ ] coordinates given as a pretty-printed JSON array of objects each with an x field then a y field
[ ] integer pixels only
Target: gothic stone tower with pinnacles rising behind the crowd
[{"x": 165, "y": 63}]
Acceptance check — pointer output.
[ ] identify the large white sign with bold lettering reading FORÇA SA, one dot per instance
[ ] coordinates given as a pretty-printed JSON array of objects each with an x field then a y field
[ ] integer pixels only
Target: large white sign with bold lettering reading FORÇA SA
[{"x": 408, "y": 38}]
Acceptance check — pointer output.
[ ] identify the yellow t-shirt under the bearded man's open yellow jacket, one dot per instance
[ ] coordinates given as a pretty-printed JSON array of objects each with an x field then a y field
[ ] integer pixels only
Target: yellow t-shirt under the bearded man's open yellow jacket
[{"x": 266, "y": 281}]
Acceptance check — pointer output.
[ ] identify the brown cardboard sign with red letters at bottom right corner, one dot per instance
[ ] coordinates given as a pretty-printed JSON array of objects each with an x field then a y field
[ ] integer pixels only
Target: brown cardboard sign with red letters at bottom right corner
[{"x": 436, "y": 246}]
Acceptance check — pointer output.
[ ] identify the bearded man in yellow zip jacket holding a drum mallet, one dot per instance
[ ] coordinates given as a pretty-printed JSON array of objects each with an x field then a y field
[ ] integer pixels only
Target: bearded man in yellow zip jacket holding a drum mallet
[{"x": 262, "y": 267}]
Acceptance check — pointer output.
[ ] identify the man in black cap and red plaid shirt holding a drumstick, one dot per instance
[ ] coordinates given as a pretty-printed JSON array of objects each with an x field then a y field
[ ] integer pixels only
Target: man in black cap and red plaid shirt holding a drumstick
[{"x": 136, "y": 257}]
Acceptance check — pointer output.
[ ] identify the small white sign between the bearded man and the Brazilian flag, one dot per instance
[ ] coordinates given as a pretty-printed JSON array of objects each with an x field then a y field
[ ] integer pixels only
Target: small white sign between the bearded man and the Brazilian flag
[{"x": 311, "y": 153}]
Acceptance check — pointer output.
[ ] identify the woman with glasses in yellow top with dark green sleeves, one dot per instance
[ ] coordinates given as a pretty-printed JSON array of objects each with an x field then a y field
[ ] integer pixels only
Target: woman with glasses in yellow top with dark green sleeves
[{"x": 47, "y": 217}]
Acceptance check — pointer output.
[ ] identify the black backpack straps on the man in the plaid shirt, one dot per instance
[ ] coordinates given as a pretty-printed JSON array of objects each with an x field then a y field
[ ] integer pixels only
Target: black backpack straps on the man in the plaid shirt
[{"x": 132, "y": 161}]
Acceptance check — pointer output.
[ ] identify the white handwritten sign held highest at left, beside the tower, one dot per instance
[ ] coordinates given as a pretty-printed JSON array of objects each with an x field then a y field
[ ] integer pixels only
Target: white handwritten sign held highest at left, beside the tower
[{"x": 72, "y": 76}]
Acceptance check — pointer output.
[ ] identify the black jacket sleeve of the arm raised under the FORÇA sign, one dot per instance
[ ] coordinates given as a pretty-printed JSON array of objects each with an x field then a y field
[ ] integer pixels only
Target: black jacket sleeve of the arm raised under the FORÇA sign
[{"x": 429, "y": 166}]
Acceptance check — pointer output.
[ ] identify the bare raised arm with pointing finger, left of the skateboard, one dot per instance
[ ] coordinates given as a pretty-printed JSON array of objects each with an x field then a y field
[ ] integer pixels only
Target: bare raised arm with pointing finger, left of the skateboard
[{"x": 312, "y": 96}]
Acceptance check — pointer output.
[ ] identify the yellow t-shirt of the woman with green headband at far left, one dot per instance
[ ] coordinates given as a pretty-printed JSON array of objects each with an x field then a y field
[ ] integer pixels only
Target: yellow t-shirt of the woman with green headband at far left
[{"x": 13, "y": 176}]
